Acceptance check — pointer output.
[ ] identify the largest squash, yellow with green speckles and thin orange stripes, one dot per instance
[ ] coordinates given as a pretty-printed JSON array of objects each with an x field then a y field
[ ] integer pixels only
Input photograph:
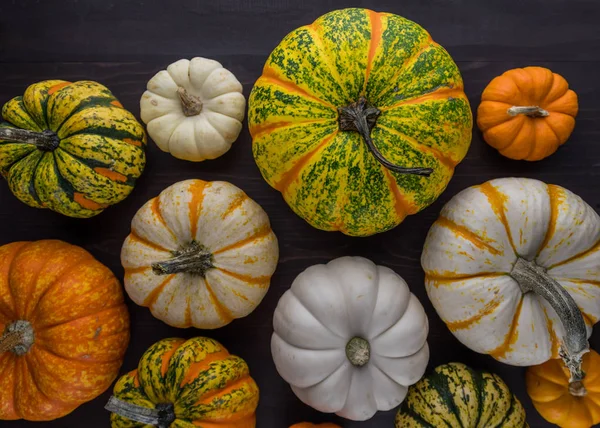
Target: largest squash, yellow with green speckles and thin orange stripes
[{"x": 303, "y": 118}]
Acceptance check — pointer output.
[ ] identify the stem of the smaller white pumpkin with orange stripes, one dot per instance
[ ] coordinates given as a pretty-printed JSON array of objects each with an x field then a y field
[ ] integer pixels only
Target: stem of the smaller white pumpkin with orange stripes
[{"x": 194, "y": 259}]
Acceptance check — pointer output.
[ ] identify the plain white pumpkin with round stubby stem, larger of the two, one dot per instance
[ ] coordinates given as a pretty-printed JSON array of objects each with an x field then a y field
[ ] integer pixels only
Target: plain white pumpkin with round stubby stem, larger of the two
[{"x": 350, "y": 338}]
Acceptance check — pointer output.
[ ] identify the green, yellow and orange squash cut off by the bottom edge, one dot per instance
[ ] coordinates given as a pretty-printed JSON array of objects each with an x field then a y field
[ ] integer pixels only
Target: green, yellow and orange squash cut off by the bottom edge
[{"x": 186, "y": 384}]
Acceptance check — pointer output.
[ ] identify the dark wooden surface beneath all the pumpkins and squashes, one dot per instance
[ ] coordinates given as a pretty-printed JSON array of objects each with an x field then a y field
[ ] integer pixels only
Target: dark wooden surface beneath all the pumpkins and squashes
[{"x": 122, "y": 44}]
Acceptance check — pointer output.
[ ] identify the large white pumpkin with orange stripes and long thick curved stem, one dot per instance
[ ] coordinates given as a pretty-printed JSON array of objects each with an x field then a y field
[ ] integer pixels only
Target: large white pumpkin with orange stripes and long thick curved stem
[{"x": 513, "y": 268}]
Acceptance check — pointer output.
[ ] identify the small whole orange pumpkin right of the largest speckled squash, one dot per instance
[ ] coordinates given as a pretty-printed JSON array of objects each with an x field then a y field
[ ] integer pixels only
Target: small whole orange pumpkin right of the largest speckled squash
[{"x": 527, "y": 113}]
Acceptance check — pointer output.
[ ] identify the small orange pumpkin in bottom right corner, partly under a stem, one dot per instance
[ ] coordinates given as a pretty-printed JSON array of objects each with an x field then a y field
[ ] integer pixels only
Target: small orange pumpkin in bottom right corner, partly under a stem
[{"x": 568, "y": 405}]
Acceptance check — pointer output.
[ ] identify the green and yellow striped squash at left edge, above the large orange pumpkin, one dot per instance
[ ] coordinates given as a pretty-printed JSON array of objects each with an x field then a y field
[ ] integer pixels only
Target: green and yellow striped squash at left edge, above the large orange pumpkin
[{"x": 70, "y": 147}]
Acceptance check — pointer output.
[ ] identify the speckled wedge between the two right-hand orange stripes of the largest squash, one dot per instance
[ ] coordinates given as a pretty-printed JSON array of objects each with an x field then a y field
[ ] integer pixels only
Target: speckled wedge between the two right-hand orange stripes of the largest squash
[{"x": 444, "y": 124}]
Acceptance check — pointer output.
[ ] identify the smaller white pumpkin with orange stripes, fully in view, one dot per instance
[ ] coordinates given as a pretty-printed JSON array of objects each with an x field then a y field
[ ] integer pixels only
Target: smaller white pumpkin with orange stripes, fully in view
[{"x": 200, "y": 254}]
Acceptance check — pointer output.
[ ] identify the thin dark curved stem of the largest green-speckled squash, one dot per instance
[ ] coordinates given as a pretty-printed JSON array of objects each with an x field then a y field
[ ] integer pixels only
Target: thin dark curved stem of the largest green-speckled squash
[{"x": 361, "y": 117}]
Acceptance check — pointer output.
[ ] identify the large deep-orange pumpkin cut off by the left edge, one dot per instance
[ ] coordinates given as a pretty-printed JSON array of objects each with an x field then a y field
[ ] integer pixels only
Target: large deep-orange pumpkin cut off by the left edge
[{"x": 64, "y": 329}]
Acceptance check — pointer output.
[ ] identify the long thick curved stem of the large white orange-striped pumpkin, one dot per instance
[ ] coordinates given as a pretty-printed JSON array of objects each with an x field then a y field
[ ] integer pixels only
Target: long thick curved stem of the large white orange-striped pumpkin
[{"x": 532, "y": 277}]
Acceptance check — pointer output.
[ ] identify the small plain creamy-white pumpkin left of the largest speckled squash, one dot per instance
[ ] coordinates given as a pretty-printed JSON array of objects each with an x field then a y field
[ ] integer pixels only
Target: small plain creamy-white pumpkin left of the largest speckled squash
[{"x": 194, "y": 109}]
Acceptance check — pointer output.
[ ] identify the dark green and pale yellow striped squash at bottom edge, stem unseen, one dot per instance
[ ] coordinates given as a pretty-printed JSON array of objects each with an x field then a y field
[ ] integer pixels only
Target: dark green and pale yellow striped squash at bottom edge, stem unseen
[{"x": 455, "y": 396}]
